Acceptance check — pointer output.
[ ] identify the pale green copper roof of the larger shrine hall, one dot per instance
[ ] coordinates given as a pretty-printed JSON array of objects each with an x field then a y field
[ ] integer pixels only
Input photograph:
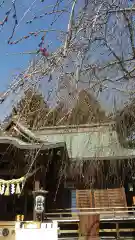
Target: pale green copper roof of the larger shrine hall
[{"x": 88, "y": 142}]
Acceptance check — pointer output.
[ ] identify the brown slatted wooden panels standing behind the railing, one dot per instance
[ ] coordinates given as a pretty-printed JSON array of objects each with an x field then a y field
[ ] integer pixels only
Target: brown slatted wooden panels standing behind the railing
[{"x": 100, "y": 199}]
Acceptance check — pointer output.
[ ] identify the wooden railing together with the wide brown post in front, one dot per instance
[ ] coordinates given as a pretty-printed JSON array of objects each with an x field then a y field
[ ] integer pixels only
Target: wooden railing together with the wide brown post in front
[{"x": 88, "y": 224}]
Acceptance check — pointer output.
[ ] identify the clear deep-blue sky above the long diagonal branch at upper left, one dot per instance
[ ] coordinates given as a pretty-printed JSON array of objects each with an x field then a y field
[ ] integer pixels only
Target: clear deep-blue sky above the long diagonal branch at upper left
[{"x": 10, "y": 63}]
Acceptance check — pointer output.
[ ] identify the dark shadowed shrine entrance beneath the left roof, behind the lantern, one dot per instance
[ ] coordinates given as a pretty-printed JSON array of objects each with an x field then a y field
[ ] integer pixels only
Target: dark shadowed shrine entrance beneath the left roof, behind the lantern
[{"x": 47, "y": 169}]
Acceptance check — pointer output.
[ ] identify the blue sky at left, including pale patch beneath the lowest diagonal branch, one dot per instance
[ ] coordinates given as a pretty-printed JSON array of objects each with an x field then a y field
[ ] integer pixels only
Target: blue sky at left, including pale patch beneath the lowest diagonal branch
[{"x": 12, "y": 64}]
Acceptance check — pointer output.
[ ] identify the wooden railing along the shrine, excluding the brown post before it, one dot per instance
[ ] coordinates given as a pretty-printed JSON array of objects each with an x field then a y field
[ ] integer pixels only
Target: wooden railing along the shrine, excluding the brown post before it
[{"x": 117, "y": 225}]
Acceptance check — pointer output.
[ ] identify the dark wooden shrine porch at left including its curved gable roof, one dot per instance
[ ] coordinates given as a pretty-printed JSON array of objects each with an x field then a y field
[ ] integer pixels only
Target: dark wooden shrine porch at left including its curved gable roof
[{"x": 24, "y": 154}]
